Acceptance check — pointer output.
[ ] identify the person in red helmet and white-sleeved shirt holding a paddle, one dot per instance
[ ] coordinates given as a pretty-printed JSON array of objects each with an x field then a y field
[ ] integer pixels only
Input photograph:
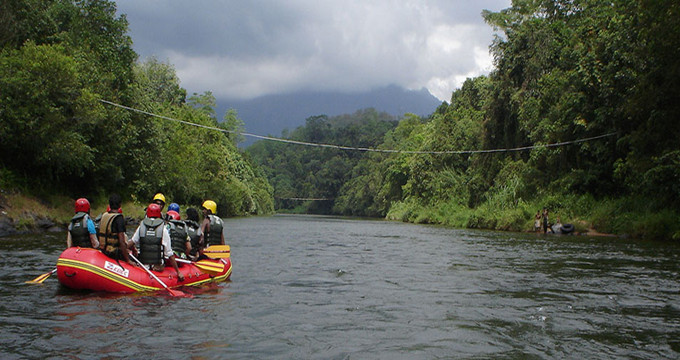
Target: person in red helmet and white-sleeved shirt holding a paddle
[{"x": 153, "y": 241}]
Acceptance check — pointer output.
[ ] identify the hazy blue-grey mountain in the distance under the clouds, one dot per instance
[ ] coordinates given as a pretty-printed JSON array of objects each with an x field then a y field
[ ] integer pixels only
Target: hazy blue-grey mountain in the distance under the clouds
[{"x": 271, "y": 114}]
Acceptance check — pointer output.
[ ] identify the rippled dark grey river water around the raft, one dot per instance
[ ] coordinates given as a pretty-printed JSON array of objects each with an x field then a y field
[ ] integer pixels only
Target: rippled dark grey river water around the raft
[{"x": 309, "y": 287}]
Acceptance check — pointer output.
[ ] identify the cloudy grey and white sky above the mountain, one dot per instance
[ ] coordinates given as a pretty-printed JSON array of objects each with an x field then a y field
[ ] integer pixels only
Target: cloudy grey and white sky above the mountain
[{"x": 244, "y": 49}]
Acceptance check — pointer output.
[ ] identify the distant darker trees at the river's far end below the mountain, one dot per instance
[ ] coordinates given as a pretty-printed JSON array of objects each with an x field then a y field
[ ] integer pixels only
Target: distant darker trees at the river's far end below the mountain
[{"x": 300, "y": 172}]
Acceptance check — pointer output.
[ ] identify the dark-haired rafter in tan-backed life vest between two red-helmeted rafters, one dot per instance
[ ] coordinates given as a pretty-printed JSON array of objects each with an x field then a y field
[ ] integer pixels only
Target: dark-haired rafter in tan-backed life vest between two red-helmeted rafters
[{"x": 111, "y": 233}]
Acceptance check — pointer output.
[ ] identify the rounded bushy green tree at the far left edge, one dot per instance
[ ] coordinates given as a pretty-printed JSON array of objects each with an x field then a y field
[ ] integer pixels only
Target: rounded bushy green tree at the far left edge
[{"x": 47, "y": 125}]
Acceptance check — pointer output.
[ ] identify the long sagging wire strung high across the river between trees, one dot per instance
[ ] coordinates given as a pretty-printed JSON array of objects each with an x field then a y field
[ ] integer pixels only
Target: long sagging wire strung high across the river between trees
[{"x": 352, "y": 148}]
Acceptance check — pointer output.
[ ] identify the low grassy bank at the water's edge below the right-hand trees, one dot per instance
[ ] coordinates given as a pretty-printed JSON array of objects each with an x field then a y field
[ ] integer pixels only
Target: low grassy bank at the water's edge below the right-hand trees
[{"x": 628, "y": 216}]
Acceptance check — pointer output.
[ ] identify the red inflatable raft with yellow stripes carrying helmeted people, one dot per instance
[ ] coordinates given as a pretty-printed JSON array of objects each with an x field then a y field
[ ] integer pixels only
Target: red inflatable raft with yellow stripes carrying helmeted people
[{"x": 82, "y": 268}]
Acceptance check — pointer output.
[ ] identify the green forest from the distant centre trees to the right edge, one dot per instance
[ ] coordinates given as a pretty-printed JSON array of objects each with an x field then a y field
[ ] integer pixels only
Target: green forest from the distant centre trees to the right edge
[{"x": 598, "y": 76}]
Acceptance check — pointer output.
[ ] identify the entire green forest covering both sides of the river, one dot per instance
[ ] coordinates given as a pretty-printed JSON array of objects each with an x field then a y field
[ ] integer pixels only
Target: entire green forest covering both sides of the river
[{"x": 579, "y": 115}]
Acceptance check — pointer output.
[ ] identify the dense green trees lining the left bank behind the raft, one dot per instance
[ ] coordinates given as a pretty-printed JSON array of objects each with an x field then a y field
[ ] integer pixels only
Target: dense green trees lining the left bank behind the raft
[{"x": 58, "y": 59}]
